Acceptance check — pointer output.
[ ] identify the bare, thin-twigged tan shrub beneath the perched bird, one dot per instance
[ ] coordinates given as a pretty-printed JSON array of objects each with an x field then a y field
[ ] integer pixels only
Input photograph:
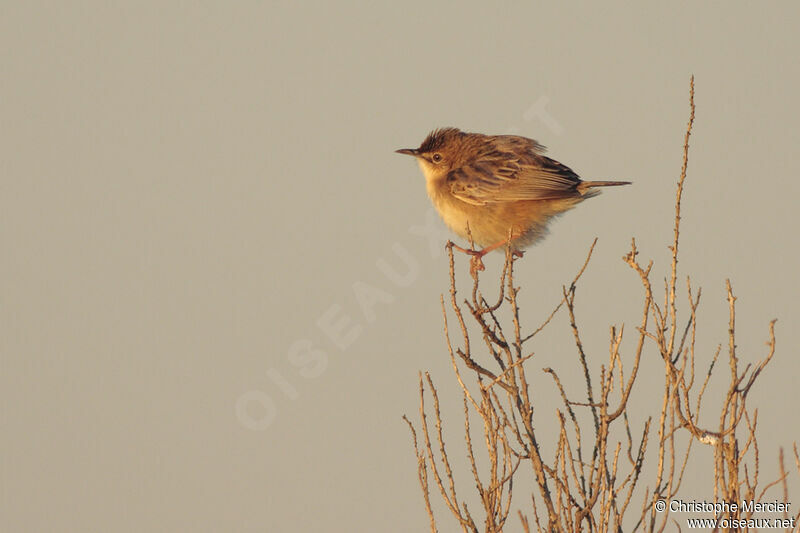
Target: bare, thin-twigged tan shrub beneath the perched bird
[{"x": 604, "y": 473}]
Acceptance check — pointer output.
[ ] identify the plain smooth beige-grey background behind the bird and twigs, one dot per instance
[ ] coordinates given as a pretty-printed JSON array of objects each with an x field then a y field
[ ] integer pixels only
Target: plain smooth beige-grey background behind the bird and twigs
[{"x": 188, "y": 189}]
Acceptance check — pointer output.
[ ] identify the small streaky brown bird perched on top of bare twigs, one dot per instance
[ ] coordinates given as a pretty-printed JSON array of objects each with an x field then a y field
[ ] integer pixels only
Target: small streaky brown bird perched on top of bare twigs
[{"x": 497, "y": 185}]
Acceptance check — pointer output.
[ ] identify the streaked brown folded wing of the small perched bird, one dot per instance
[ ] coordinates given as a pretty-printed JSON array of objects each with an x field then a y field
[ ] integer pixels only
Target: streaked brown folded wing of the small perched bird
[{"x": 512, "y": 169}]
